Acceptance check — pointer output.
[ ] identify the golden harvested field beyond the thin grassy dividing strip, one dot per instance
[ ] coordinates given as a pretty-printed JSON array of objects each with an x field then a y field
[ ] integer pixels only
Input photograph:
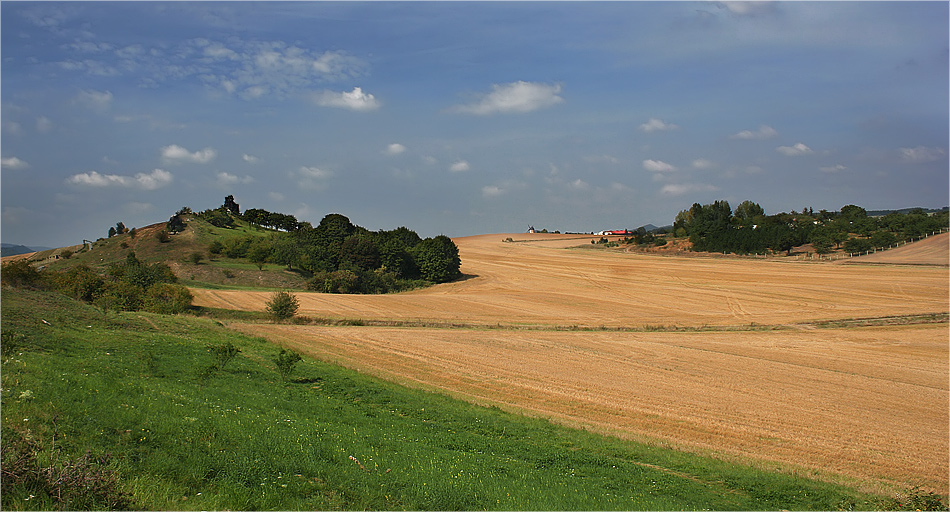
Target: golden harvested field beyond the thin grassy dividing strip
[{"x": 539, "y": 282}]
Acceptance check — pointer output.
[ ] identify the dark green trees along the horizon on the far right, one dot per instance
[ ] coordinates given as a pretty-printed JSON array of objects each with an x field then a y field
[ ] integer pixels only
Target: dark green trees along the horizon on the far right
[{"x": 717, "y": 228}]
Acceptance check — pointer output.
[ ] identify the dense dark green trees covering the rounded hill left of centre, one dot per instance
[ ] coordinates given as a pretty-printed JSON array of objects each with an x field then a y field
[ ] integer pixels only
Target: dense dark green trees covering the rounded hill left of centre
[{"x": 340, "y": 256}]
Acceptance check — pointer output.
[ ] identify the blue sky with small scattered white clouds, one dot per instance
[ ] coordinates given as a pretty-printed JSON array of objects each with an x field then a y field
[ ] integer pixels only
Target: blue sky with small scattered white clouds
[{"x": 465, "y": 118}]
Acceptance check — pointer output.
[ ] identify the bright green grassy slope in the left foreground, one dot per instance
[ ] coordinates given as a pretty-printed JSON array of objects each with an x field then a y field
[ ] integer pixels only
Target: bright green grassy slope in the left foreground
[{"x": 130, "y": 384}]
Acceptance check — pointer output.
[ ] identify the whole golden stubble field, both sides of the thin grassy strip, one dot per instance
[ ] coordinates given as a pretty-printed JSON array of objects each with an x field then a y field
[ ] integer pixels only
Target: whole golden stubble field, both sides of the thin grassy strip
[{"x": 869, "y": 403}]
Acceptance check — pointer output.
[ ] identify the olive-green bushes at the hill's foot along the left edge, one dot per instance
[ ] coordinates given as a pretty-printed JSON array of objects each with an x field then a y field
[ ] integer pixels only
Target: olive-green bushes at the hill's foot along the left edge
[{"x": 128, "y": 286}]
